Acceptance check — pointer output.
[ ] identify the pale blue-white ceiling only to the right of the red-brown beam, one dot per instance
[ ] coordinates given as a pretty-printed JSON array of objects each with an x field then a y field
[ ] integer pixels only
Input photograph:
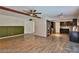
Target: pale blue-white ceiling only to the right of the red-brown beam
[{"x": 49, "y": 11}]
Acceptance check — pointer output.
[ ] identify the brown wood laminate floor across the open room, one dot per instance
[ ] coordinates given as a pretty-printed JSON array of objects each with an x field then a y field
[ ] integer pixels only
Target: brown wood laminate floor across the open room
[{"x": 35, "y": 44}]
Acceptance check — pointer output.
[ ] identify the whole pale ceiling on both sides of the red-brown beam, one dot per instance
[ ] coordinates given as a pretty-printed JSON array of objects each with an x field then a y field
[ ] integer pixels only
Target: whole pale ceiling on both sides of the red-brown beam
[{"x": 47, "y": 11}]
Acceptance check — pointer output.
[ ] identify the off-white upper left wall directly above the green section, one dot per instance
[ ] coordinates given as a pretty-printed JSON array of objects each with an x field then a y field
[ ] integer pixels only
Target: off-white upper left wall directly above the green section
[{"x": 11, "y": 21}]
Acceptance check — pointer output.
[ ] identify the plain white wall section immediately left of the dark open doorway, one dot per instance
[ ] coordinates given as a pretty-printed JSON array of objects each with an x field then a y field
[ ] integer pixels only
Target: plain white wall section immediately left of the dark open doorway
[{"x": 40, "y": 27}]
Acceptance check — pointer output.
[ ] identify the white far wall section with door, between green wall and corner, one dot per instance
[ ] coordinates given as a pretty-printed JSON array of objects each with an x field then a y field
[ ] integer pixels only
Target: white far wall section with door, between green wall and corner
[{"x": 29, "y": 26}]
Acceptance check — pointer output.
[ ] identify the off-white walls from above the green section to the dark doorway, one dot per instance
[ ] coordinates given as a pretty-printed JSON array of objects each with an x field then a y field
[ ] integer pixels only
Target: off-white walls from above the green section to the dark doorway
[{"x": 38, "y": 29}]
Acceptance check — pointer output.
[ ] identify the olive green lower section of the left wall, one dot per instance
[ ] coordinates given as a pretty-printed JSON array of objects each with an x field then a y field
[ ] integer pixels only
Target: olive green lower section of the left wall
[{"x": 11, "y": 30}]
